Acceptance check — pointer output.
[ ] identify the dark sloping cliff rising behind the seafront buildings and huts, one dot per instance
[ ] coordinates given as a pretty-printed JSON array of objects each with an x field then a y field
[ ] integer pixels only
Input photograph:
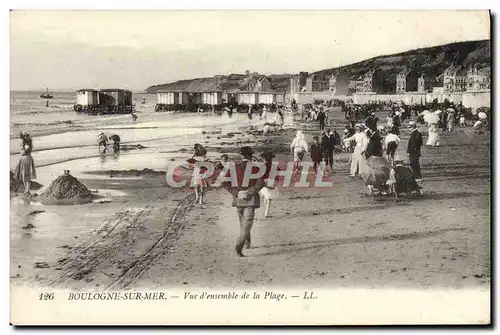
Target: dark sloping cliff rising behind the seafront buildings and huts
[{"x": 428, "y": 61}]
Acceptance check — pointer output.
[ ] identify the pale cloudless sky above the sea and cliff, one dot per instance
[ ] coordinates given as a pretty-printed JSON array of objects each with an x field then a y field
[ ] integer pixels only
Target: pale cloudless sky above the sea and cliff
[{"x": 69, "y": 50}]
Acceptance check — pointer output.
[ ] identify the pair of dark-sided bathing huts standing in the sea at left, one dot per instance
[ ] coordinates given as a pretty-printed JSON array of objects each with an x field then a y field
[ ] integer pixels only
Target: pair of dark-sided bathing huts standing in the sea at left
[{"x": 105, "y": 101}]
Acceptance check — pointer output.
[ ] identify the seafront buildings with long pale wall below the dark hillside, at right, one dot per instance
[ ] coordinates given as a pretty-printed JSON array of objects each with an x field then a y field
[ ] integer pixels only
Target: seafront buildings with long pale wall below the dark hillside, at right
[{"x": 470, "y": 87}]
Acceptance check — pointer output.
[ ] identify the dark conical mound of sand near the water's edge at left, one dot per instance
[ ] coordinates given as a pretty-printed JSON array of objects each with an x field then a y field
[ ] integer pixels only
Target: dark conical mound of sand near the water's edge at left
[{"x": 66, "y": 188}]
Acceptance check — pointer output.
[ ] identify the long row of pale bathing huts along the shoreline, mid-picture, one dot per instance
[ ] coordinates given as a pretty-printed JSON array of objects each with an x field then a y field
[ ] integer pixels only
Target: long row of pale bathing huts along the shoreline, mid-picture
[{"x": 167, "y": 100}]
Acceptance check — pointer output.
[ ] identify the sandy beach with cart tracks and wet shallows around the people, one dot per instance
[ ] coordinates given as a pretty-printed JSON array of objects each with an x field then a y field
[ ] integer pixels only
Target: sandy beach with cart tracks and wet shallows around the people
[{"x": 140, "y": 233}]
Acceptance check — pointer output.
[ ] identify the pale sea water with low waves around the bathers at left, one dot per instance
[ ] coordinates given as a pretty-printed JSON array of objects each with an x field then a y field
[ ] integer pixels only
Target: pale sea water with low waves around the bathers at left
[{"x": 65, "y": 140}]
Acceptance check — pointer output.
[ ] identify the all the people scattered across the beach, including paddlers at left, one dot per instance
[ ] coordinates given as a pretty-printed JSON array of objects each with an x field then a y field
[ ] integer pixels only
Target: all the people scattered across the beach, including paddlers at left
[{"x": 372, "y": 147}]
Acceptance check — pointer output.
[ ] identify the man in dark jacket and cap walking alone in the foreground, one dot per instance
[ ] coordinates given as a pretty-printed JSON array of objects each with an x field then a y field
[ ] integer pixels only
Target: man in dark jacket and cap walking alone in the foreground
[{"x": 246, "y": 198}]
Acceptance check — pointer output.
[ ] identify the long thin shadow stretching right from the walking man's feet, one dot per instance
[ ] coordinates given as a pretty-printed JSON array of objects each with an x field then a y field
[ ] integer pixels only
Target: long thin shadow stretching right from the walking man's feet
[{"x": 345, "y": 241}]
